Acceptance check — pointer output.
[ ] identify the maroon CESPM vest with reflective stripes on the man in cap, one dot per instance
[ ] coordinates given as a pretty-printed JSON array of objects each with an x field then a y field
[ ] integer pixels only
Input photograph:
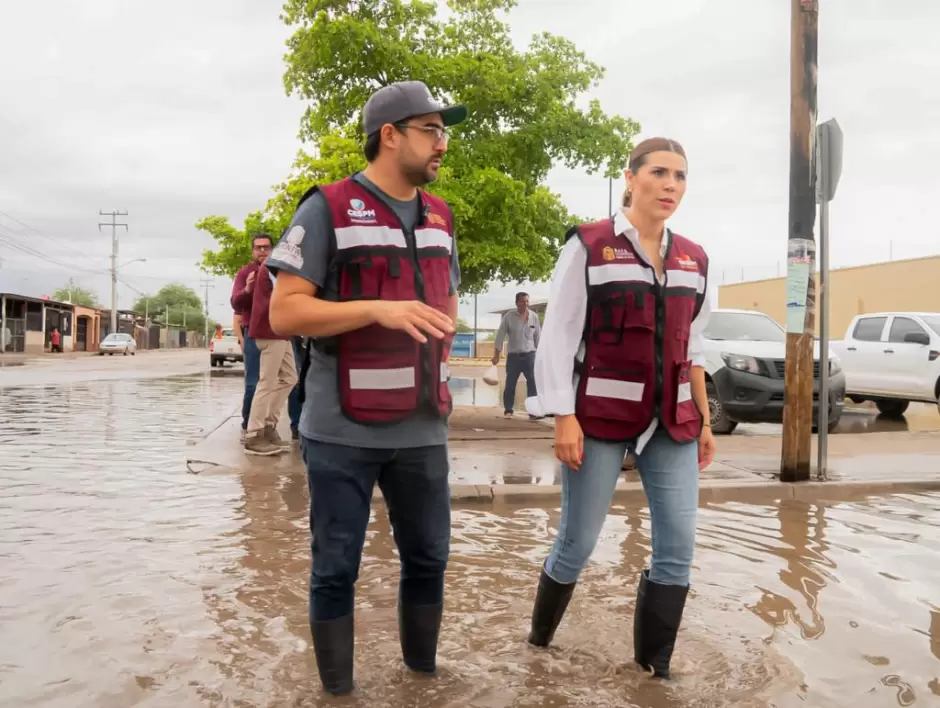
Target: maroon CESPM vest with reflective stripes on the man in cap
[{"x": 385, "y": 375}]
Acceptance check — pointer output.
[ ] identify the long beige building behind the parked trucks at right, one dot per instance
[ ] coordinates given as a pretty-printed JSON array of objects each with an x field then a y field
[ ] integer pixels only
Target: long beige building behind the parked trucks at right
[{"x": 909, "y": 285}]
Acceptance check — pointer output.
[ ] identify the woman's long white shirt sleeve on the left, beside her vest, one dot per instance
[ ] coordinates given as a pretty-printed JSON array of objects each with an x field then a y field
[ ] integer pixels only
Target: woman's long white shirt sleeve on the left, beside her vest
[{"x": 560, "y": 337}]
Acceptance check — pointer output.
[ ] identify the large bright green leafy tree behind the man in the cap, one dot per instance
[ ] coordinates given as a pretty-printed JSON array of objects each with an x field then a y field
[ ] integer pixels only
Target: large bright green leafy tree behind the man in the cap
[{"x": 526, "y": 116}]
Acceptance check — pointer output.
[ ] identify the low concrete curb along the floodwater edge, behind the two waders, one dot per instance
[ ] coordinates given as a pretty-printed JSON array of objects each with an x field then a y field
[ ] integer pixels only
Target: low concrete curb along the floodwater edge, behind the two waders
[{"x": 749, "y": 492}]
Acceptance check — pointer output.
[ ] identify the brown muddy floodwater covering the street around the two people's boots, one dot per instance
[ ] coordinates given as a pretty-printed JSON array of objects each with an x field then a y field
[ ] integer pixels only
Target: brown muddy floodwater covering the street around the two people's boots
[{"x": 127, "y": 581}]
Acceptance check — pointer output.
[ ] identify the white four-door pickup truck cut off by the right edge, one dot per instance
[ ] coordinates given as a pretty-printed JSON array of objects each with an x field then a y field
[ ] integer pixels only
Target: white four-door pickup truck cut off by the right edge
[{"x": 891, "y": 359}]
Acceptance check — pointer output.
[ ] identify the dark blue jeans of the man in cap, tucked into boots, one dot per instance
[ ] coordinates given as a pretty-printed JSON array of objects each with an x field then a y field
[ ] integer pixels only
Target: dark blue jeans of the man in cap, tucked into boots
[{"x": 341, "y": 480}]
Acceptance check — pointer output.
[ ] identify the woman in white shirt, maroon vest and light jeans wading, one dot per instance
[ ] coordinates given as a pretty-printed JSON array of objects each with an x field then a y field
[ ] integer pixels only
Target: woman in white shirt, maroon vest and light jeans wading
[{"x": 620, "y": 365}]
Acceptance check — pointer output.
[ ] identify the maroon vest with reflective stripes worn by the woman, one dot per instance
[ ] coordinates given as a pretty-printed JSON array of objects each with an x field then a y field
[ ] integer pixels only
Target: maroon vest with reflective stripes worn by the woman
[{"x": 636, "y": 337}]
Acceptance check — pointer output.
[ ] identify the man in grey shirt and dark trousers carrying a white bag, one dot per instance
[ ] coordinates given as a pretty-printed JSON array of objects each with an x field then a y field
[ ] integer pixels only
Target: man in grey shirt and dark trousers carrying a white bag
[{"x": 523, "y": 328}]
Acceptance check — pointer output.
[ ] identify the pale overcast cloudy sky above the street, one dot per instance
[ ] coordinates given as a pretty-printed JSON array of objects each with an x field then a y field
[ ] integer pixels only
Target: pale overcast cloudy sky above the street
[{"x": 175, "y": 110}]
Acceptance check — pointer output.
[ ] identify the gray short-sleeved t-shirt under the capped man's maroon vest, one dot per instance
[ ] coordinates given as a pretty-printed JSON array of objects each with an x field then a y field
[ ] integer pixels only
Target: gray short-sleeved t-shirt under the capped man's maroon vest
[{"x": 322, "y": 418}]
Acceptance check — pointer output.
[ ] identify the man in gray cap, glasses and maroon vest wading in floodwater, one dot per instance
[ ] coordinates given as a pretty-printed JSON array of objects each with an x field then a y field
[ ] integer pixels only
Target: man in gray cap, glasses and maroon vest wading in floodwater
[{"x": 368, "y": 270}]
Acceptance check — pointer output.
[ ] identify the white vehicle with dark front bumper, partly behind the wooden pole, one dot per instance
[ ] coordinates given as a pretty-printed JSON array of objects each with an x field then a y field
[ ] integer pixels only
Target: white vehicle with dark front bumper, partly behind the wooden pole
[{"x": 745, "y": 354}]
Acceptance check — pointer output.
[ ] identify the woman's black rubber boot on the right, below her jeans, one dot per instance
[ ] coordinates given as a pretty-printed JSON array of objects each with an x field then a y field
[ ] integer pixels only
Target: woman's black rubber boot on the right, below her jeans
[{"x": 656, "y": 622}]
